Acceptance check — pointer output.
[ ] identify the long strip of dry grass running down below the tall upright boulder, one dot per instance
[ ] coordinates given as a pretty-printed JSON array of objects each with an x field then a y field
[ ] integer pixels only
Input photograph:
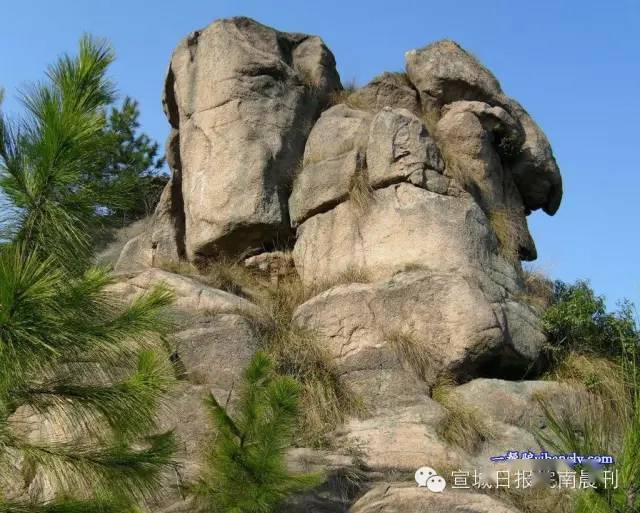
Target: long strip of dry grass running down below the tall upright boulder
[{"x": 296, "y": 351}]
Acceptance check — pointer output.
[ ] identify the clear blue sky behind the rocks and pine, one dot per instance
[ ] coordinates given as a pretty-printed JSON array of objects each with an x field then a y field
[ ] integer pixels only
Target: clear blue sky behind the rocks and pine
[{"x": 575, "y": 66}]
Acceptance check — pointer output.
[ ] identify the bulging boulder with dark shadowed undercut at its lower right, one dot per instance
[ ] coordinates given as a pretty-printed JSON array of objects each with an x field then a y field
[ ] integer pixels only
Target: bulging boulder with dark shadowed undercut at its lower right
[{"x": 453, "y": 327}]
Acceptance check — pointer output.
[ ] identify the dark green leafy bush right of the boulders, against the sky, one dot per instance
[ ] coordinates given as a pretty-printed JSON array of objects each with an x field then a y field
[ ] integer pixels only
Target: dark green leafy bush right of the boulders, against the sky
[{"x": 578, "y": 321}]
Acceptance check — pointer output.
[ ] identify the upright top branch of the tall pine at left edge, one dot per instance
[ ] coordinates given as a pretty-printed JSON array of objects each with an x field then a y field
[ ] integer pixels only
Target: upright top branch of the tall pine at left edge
[{"x": 46, "y": 156}]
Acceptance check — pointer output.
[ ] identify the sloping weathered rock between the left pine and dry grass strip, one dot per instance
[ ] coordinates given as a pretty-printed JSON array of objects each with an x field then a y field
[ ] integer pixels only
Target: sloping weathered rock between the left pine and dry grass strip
[{"x": 212, "y": 345}]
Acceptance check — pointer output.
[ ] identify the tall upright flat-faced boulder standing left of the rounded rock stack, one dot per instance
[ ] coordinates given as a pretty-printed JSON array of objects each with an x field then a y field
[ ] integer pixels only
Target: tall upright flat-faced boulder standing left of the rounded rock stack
[{"x": 241, "y": 99}]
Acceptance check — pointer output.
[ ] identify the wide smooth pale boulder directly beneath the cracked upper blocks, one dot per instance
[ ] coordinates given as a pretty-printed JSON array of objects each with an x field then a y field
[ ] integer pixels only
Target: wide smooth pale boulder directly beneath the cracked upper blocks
[{"x": 403, "y": 226}]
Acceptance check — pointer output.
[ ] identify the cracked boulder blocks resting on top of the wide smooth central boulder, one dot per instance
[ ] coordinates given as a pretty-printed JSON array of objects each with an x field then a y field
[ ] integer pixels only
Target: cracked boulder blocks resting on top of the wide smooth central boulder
[{"x": 350, "y": 149}]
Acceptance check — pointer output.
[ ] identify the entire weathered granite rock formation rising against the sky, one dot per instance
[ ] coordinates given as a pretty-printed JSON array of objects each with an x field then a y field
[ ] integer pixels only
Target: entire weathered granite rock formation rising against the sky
[{"x": 402, "y": 206}]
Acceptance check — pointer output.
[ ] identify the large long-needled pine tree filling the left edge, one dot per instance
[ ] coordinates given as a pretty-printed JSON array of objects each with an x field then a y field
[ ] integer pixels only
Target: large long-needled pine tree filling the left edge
[{"x": 70, "y": 353}]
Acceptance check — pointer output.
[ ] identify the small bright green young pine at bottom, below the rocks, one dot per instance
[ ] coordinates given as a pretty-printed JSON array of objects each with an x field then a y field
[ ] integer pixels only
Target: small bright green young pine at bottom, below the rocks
[{"x": 245, "y": 468}]
